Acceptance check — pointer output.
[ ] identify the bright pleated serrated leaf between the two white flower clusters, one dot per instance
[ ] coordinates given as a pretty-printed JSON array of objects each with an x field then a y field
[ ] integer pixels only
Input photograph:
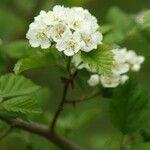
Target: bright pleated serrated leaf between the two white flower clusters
[{"x": 100, "y": 59}]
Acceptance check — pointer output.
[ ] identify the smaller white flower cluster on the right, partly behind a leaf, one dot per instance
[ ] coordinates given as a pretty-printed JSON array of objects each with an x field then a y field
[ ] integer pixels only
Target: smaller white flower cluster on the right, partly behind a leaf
[{"x": 124, "y": 61}]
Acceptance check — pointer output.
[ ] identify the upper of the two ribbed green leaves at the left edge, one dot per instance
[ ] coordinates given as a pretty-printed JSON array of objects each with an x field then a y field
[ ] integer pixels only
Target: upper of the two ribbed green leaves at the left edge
[{"x": 15, "y": 85}]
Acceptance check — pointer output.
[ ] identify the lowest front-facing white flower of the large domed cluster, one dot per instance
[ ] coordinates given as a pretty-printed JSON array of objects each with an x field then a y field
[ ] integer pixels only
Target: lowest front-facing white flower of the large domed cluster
[{"x": 70, "y": 43}]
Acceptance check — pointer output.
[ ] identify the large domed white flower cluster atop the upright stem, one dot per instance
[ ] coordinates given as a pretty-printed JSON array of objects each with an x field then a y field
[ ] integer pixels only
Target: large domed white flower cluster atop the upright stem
[{"x": 70, "y": 29}]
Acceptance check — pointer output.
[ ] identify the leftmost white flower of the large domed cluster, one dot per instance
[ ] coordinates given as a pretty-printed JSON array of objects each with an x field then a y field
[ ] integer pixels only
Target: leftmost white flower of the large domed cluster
[{"x": 37, "y": 35}]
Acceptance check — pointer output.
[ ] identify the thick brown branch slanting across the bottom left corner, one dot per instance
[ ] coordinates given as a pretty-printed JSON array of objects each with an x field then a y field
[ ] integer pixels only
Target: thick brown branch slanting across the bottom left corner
[{"x": 43, "y": 131}]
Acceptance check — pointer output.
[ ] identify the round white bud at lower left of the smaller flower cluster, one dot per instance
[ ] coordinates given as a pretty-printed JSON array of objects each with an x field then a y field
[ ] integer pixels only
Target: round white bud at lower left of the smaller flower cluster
[{"x": 94, "y": 80}]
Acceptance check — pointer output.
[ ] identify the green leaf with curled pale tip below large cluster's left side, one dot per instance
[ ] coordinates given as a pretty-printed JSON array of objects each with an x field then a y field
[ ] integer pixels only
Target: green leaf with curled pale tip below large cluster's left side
[{"x": 34, "y": 61}]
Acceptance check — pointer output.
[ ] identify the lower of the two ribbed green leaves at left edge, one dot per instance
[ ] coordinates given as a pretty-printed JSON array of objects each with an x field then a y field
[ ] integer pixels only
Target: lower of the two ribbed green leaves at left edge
[{"x": 23, "y": 104}]
